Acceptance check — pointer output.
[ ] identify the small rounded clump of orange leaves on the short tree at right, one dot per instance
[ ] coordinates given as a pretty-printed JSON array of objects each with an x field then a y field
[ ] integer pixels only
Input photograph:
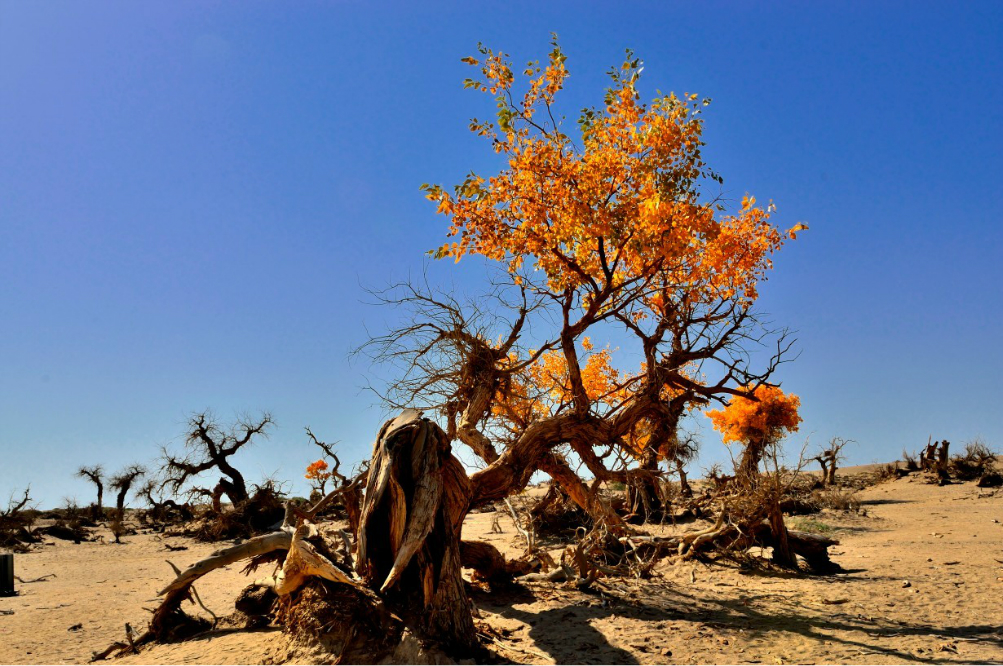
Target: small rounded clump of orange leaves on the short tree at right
[{"x": 768, "y": 420}]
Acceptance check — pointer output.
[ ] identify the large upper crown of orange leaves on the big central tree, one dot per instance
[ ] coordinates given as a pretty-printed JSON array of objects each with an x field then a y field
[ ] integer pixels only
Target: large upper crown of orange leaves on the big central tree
[{"x": 620, "y": 205}]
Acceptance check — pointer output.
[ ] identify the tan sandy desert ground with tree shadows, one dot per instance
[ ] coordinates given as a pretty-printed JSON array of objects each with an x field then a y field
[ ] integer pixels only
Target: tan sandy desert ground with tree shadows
[{"x": 947, "y": 543}]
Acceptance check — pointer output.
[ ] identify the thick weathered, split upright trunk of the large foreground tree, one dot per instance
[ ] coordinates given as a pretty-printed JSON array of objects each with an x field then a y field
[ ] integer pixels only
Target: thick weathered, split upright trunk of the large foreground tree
[{"x": 417, "y": 498}]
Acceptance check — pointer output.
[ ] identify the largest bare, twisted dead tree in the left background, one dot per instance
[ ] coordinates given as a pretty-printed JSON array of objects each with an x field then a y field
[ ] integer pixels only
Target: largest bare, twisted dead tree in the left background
[{"x": 209, "y": 447}]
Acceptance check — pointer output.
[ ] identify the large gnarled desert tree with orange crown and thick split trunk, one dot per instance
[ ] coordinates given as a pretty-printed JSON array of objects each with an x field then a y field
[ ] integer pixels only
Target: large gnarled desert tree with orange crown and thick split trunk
[{"x": 606, "y": 231}]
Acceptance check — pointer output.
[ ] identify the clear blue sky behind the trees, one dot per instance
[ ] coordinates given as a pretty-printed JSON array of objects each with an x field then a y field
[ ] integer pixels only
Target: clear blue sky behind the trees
[{"x": 194, "y": 194}]
